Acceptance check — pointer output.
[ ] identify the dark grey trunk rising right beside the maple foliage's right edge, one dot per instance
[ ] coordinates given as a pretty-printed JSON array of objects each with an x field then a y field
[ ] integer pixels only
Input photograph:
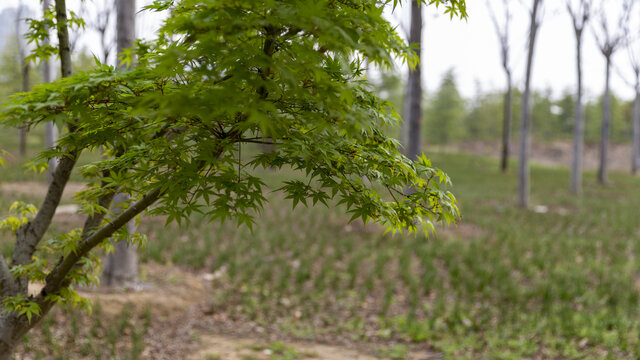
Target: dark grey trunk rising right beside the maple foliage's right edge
[{"x": 414, "y": 85}]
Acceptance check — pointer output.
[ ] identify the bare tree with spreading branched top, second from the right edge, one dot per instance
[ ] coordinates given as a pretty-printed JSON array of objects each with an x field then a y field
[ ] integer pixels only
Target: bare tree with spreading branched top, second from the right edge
[{"x": 608, "y": 43}]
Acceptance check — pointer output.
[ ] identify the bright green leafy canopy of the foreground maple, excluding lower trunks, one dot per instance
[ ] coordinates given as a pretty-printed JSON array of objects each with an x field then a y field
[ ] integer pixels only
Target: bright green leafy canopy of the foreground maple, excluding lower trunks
[{"x": 293, "y": 76}]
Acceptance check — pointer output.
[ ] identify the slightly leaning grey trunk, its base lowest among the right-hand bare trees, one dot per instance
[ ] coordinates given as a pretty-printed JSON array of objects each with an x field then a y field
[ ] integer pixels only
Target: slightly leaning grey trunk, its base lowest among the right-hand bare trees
[{"x": 525, "y": 141}]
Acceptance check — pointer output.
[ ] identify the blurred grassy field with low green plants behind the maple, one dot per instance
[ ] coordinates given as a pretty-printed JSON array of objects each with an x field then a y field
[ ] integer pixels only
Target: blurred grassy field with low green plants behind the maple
[{"x": 560, "y": 282}]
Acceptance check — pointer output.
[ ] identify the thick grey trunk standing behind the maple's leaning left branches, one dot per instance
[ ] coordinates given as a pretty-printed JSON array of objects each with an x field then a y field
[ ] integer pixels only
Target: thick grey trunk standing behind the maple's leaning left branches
[{"x": 121, "y": 266}]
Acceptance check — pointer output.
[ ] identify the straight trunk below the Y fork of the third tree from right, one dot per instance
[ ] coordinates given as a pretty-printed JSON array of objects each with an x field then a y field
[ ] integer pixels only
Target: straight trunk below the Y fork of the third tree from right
[{"x": 578, "y": 130}]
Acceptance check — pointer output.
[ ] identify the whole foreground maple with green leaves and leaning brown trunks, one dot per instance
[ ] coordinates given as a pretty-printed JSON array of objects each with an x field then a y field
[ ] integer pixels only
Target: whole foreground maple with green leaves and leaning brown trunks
[{"x": 174, "y": 123}]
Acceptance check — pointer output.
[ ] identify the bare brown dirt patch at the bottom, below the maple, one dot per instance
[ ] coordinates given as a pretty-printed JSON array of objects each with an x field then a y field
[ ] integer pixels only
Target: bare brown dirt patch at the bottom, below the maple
[{"x": 185, "y": 328}]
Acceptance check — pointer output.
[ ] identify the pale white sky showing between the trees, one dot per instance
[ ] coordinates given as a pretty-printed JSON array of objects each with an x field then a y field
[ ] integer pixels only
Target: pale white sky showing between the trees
[{"x": 471, "y": 48}]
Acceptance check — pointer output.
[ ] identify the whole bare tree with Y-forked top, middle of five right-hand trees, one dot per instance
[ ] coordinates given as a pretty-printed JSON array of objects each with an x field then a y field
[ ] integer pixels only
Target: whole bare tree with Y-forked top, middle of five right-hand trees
[{"x": 580, "y": 14}]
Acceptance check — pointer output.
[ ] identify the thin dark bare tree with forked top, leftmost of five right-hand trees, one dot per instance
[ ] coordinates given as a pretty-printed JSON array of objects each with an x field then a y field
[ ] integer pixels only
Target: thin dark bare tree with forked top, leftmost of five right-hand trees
[{"x": 502, "y": 31}]
